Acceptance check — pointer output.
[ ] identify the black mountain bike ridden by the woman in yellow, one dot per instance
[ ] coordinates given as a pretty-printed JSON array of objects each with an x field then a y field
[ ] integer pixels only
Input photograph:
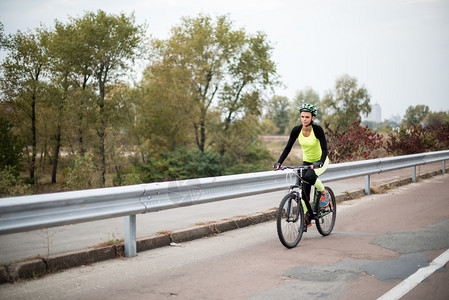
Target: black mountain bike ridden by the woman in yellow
[{"x": 290, "y": 215}]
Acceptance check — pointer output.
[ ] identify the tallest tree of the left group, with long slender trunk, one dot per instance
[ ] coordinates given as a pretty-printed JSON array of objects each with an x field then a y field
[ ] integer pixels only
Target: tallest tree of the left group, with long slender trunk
[{"x": 113, "y": 43}]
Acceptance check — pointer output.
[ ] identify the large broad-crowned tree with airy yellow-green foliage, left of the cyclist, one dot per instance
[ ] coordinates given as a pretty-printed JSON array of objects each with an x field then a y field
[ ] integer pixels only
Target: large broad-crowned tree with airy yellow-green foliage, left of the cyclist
[{"x": 219, "y": 68}]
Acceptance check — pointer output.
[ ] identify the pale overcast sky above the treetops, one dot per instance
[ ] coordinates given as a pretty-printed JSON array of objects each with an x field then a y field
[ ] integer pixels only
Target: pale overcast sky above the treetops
[{"x": 397, "y": 49}]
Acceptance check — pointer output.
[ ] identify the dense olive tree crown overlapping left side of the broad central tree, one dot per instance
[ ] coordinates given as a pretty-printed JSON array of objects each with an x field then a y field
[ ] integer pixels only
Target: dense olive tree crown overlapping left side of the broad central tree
[{"x": 165, "y": 110}]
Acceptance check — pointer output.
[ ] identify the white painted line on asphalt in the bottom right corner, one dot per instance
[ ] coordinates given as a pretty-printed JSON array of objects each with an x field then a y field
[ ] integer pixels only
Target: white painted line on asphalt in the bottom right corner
[{"x": 413, "y": 280}]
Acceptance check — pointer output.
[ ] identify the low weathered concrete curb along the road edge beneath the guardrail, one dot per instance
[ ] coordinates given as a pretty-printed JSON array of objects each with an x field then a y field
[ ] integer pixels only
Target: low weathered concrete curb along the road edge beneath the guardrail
[{"x": 37, "y": 267}]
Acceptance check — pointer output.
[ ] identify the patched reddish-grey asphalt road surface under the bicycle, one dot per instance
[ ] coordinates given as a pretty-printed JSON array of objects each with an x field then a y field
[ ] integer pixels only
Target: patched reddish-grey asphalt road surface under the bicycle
[{"x": 378, "y": 242}]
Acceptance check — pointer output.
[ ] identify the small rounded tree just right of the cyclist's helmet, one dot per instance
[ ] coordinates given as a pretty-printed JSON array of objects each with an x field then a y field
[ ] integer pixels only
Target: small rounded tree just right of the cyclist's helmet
[{"x": 346, "y": 103}]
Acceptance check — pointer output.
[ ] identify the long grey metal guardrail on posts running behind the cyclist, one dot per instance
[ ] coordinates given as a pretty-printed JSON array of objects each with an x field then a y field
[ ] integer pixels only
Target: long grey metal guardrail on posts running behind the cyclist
[{"x": 19, "y": 214}]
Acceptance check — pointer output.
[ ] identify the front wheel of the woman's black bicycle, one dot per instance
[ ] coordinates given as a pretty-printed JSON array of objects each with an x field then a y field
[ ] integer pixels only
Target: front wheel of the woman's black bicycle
[{"x": 290, "y": 221}]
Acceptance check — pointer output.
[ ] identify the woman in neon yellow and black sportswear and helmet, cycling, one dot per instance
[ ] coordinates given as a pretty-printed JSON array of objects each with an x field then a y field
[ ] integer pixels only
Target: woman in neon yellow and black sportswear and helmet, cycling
[{"x": 312, "y": 139}]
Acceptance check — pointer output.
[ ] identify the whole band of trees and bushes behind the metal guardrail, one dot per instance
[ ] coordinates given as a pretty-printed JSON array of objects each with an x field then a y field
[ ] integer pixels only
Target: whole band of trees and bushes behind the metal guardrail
[{"x": 73, "y": 116}]
